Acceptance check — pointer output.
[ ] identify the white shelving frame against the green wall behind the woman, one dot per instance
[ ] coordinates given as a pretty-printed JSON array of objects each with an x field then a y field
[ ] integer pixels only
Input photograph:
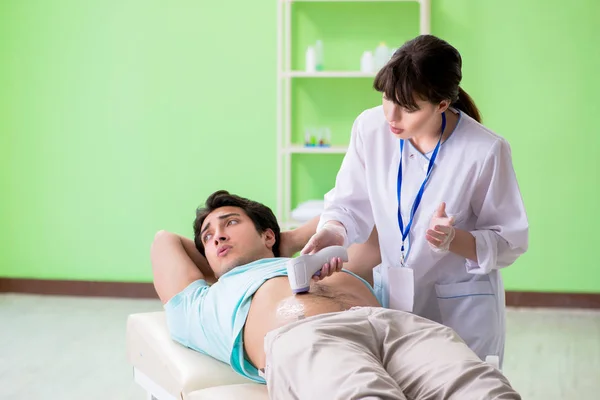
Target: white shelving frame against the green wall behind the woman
[{"x": 285, "y": 148}]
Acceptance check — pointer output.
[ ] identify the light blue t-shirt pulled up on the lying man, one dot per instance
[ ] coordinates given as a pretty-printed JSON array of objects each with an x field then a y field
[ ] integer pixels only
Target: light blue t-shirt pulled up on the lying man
[{"x": 210, "y": 319}]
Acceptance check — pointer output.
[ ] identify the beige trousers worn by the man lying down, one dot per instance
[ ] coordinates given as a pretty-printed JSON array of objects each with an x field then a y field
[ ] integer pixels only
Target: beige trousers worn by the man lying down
[{"x": 376, "y": 353}]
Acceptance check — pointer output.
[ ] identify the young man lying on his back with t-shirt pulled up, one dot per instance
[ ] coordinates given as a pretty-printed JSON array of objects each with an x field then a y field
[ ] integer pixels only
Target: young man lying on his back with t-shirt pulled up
[{"x": 334, "y": 342}]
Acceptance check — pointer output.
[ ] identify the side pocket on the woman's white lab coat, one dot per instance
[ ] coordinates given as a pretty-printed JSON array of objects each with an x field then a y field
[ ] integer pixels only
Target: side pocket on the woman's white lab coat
[{"x": 470, "y": 308}]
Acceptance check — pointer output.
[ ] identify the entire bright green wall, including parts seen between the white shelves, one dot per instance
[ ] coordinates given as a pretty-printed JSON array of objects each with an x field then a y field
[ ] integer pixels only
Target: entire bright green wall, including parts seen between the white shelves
[{"x": 117, "y": 118}]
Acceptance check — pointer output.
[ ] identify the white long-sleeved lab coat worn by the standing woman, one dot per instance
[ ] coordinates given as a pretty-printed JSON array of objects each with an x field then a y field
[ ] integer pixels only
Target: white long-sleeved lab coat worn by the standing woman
[{"x": 474, "y": 175}]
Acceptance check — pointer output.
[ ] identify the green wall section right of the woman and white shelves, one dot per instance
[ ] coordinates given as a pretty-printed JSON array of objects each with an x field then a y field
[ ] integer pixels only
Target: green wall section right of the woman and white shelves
[{"x": 536, "y": 83}]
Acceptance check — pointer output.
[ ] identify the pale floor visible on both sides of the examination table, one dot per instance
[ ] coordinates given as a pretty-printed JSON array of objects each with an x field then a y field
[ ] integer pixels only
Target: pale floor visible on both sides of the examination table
[{"x": 74, "y": 348}]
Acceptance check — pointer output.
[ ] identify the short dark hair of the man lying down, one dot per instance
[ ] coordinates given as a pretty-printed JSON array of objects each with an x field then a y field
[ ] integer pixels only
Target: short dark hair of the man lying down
[{"x": 261, "y": 215}]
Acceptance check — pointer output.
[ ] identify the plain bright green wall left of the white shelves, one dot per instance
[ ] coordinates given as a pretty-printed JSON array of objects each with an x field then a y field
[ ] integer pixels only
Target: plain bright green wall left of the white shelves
[{"x": 121, "y": 117}]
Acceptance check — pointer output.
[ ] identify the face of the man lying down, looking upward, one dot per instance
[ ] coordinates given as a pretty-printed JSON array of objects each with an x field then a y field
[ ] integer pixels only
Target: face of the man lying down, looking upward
[{"x": 230, "y": 239}]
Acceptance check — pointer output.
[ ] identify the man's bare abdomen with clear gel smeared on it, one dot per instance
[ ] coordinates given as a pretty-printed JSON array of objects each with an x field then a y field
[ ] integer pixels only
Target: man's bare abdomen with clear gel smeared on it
[{"x": 274, "y": 305}]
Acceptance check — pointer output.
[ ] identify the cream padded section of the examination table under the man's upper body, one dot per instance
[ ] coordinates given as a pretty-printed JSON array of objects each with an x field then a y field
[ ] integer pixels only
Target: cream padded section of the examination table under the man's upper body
[{"x": 175, "y": 368}]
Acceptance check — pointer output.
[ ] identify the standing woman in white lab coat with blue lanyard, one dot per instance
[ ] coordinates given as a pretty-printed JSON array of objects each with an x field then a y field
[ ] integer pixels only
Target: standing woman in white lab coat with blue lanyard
[{"x": 441, "y": 192}]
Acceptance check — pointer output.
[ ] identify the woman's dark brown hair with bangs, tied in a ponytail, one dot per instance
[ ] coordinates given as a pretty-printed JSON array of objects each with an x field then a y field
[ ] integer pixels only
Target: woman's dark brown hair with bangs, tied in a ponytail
[{"x": 429, "y": 68}]
